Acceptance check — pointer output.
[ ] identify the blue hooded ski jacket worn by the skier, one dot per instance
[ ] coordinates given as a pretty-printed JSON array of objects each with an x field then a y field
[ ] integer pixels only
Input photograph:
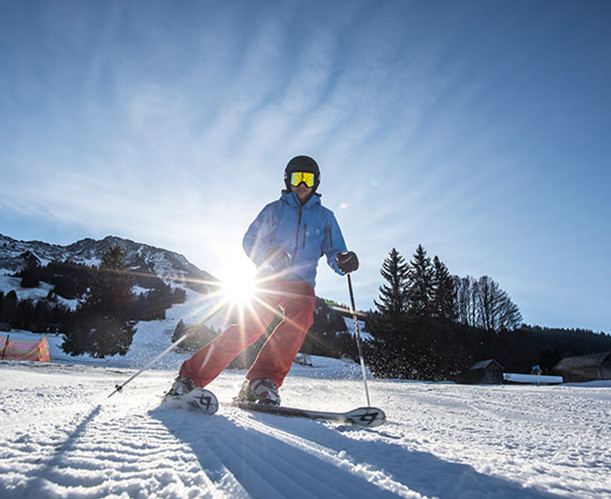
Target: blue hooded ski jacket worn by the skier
[{"x": 306, "y": 232}]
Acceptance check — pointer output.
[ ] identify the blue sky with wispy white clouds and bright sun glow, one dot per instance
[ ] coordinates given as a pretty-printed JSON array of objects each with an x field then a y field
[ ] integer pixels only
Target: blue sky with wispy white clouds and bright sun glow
[{"x": 479, "y": 129}]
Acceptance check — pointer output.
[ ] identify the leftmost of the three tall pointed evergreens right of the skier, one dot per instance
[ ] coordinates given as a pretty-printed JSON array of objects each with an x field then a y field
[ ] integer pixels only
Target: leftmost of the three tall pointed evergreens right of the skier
[{"x": 393, "y": 296}]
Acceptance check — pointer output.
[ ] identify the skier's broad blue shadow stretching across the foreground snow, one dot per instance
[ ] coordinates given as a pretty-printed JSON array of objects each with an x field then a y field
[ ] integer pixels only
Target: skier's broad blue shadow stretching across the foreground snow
[{"x": 323, "y": 461}]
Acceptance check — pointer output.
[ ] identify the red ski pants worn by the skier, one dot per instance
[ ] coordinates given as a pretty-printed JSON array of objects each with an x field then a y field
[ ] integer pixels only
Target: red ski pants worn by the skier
[{"x": 296, "y": 299}]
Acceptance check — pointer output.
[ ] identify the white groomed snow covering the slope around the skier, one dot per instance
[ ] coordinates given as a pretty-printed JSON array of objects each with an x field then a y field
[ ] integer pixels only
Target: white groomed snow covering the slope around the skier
[{"x": 62, "y": 436}]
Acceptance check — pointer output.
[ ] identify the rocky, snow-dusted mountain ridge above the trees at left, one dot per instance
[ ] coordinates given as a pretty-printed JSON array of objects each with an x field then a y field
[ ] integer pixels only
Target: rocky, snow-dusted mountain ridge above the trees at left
[{"x": 143, "y": 259}]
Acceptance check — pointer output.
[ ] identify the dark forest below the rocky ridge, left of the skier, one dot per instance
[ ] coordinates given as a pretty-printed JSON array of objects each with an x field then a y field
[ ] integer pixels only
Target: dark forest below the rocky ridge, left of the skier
[{"x": 107, "y": 308}]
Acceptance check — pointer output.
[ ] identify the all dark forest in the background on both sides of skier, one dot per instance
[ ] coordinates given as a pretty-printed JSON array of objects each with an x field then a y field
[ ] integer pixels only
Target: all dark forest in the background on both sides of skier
[{"x": 427, "y": 323}]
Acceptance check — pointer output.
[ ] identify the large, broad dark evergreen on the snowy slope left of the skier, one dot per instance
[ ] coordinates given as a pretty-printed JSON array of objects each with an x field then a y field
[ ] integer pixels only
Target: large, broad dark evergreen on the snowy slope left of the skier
[{"x": 101, "y": 326}]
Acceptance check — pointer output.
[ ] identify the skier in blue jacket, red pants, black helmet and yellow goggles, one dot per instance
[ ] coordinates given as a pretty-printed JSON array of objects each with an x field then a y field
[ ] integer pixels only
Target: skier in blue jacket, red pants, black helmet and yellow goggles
[{"x": 285, "y": 241}]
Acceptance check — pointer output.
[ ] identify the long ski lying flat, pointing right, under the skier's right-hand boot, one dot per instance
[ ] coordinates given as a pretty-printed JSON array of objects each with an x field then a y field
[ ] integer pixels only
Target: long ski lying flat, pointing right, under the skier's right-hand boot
[{"x": 367, "y": 417}]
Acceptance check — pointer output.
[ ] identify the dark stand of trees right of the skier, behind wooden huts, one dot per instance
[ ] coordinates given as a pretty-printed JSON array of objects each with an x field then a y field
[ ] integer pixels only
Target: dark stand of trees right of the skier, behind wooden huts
[{"x": 431, "y": 325}]
